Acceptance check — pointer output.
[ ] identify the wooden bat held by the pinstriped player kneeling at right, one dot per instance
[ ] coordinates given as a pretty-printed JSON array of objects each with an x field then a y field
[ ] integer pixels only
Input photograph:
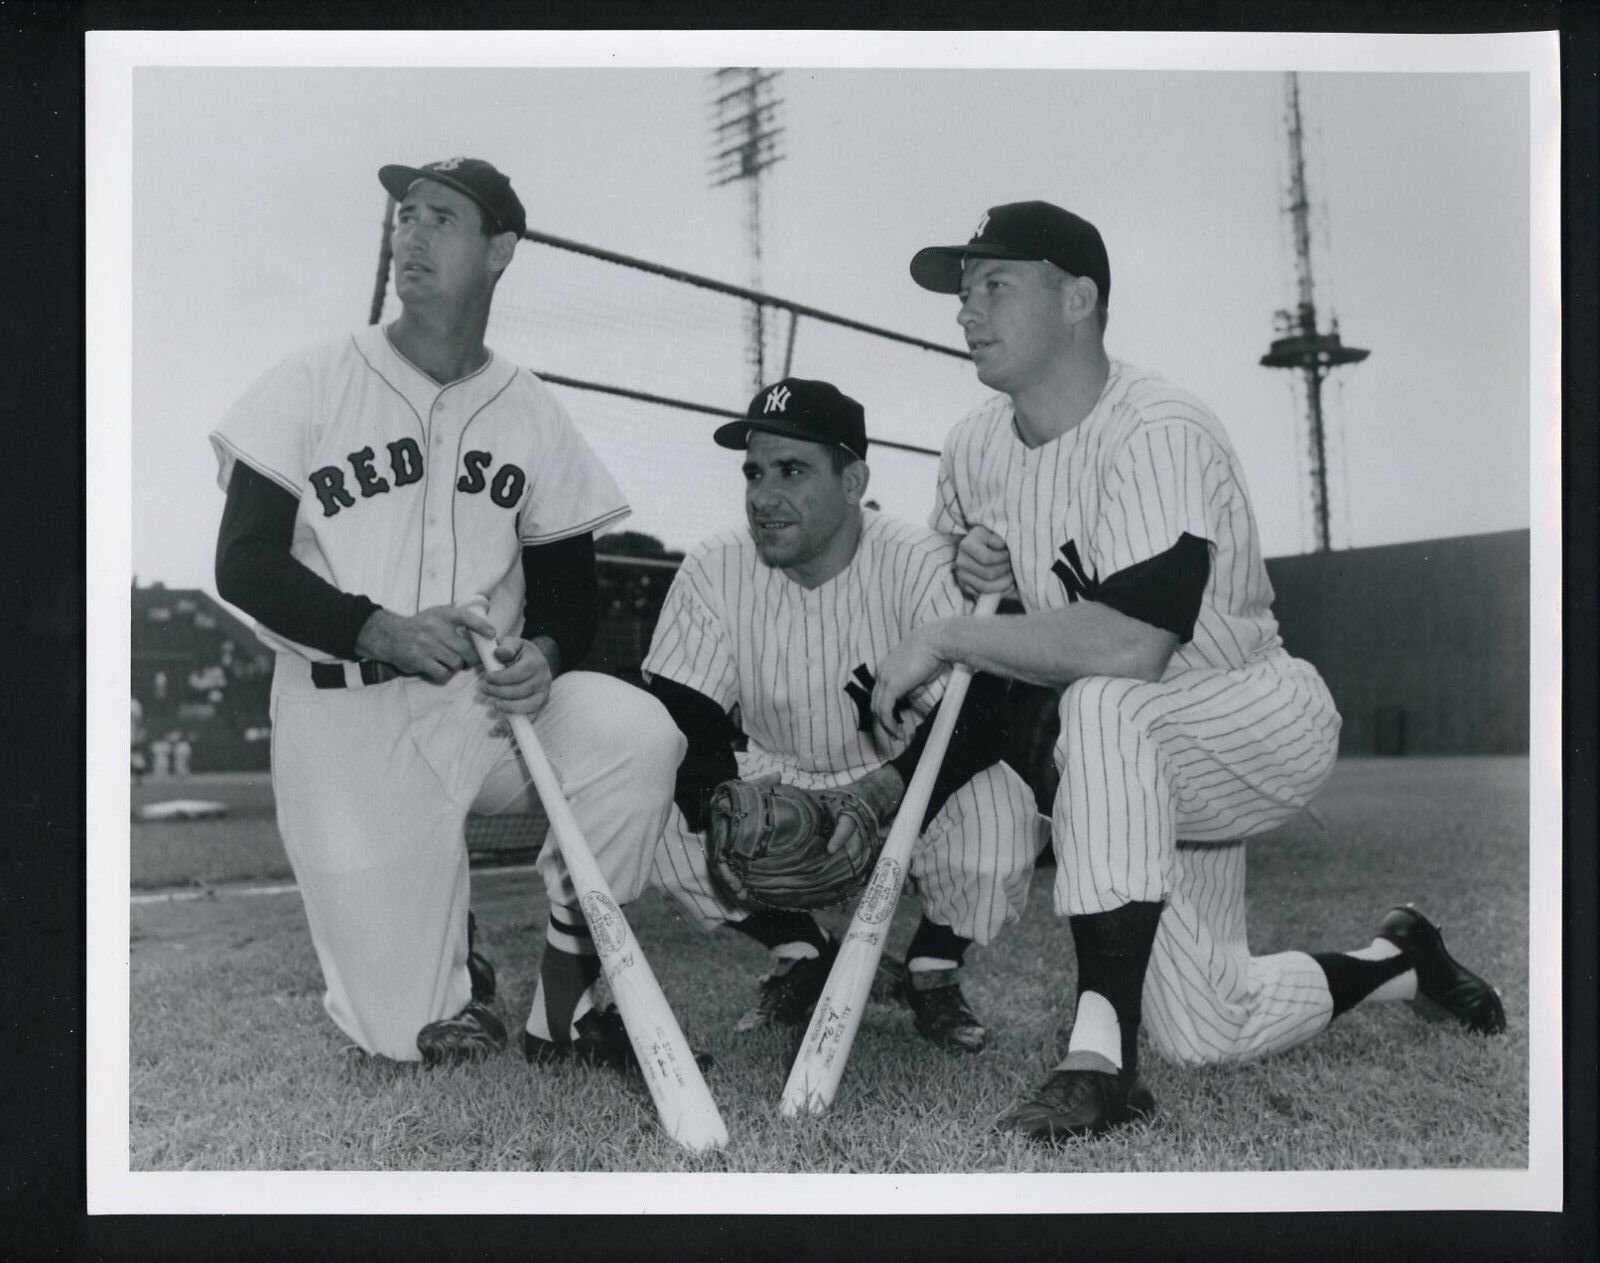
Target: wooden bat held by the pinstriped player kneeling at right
[{"x": 820, "y": 1065}]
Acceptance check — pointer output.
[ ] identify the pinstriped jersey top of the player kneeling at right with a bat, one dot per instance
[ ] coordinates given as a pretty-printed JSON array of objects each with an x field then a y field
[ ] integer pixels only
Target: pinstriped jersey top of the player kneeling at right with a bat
[{"x": 1148, "y": 465}]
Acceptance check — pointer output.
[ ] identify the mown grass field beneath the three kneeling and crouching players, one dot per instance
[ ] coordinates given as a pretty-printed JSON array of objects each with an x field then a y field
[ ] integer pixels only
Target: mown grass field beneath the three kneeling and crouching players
[{"x": 234, "y": 1067}]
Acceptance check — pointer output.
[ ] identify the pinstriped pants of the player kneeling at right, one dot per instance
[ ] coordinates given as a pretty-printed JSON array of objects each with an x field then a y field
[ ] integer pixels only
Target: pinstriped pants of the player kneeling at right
[{"x": 1209, "y": 758}]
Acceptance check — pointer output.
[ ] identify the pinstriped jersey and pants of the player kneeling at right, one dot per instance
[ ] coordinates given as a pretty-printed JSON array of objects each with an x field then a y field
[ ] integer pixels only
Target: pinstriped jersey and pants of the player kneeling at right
[{"x": 1236, "y": 739}]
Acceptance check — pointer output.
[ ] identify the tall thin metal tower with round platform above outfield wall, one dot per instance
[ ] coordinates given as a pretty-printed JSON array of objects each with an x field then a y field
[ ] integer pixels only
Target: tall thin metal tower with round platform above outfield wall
[{"x": 1300, "y": 343}]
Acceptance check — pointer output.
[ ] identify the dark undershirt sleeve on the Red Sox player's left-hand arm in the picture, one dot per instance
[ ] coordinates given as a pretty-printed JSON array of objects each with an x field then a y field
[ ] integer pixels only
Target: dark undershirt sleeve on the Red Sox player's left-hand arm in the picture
[{"x": 257, "y": 572}]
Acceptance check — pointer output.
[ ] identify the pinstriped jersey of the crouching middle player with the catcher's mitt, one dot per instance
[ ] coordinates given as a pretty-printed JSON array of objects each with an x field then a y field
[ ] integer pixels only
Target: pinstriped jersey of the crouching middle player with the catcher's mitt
[{"x": 796, "y": 662}]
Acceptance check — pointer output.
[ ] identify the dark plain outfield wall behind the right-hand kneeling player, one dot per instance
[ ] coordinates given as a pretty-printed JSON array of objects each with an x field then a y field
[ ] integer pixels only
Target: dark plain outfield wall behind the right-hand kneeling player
[{"x": 1425, "y": 646}]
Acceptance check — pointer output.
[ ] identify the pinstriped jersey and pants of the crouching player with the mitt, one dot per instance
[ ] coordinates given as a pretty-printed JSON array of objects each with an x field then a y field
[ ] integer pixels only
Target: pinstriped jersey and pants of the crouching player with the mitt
[{"x": 798, "y": 665}]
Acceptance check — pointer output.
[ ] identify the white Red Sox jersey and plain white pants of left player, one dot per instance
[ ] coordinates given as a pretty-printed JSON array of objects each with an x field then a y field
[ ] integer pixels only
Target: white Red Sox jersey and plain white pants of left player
[{"x": 417, "y": 495}]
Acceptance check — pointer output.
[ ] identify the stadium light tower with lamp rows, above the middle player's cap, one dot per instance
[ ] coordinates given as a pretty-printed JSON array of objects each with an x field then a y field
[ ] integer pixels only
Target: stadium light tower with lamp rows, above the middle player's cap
[{"x": 745, "y": 130}]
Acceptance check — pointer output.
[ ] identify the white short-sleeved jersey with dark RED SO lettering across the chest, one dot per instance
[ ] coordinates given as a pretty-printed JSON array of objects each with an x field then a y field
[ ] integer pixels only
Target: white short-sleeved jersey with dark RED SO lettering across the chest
[{"x": 410, "y": 492}]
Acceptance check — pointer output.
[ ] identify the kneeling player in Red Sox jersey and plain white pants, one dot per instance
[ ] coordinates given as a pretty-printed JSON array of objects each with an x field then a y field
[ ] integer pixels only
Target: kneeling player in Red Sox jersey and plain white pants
[{"x": 374, "y": 486}]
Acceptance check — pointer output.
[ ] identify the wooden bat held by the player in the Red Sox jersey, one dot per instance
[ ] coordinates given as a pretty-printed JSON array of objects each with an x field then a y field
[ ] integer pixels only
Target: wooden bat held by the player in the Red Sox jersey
[{"x": 687, "y": 1110}]
